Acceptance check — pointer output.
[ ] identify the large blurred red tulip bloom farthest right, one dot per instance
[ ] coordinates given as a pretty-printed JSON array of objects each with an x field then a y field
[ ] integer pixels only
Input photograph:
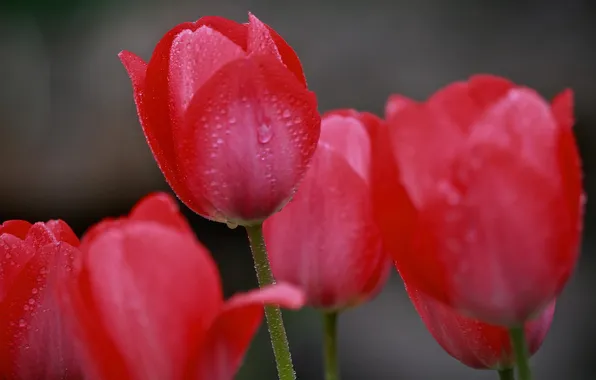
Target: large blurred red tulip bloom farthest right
[{"x": 482, "y": 210}]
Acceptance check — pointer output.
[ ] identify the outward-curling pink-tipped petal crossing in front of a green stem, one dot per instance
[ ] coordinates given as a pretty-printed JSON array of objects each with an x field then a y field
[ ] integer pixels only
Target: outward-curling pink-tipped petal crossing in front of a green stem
[{"x": 231, "y": 333}]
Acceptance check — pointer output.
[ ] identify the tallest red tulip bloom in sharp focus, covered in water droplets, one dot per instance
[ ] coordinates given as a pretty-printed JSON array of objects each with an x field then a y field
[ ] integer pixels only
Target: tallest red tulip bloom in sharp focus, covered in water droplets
[{"x": 228, "y": 116}]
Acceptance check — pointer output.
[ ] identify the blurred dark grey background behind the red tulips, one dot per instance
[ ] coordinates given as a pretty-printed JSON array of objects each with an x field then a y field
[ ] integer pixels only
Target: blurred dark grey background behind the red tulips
[{"x": 71, "y": 146}]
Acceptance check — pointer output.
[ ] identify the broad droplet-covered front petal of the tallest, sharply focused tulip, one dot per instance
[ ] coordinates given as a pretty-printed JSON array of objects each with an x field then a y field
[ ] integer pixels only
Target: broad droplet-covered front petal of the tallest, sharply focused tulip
[{"x": 247, "y": 153}]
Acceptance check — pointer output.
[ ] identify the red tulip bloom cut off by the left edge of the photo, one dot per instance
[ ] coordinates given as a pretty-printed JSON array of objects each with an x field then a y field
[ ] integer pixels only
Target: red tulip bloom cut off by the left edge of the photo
[{"x": 34, "y": 342}]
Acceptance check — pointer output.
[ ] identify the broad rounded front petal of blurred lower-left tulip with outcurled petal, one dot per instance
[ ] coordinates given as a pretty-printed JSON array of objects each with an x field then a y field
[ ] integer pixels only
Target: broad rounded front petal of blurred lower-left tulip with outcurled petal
[{"x": 154, "y": 293}]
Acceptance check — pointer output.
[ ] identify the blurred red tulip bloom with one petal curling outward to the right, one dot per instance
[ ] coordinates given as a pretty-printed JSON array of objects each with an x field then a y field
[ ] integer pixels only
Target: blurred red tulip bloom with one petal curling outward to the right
[{"x": 147, "y": 302}]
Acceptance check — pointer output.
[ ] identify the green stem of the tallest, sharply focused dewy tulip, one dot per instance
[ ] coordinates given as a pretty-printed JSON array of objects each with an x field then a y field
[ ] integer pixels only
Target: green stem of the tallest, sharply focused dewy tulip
[{"x": 277, "y": 331}]
